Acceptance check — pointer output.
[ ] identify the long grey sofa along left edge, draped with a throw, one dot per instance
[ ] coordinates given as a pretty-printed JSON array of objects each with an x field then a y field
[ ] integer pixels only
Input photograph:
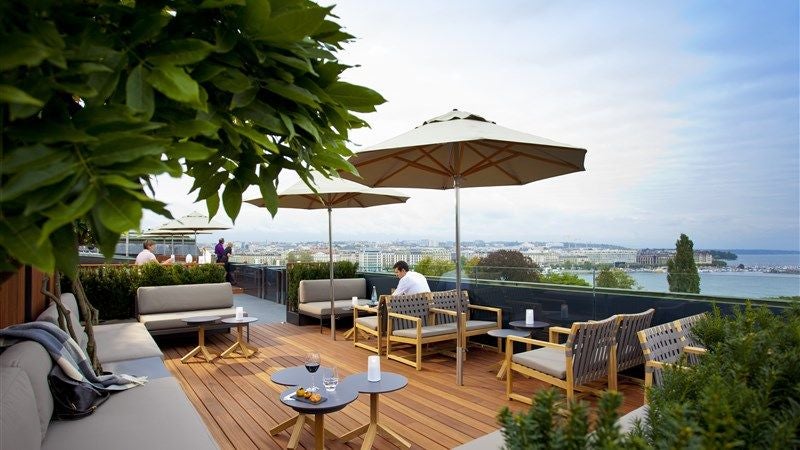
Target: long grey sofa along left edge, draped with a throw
[{"x": 156, "y": 415}]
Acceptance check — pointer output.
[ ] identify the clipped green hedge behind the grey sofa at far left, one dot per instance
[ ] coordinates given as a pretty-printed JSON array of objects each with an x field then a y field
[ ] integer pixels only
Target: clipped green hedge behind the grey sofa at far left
[{"x": 112, "y": 288}]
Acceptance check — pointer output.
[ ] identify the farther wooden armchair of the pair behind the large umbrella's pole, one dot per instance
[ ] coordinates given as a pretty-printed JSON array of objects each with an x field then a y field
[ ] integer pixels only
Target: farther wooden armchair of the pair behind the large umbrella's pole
[{"x": 446, "y": 300}]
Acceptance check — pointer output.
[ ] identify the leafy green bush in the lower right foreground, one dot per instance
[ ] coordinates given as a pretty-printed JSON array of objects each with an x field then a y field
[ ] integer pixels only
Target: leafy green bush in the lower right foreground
[{"x": 745, "y": 393}]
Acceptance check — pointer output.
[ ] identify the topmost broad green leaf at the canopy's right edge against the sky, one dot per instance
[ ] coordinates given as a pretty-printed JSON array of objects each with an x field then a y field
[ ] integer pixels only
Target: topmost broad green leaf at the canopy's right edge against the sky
[{"x": 294, "y": 25}]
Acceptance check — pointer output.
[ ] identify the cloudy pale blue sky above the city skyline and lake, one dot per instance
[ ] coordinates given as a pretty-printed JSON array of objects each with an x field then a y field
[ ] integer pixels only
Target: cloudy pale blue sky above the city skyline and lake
[{"x": 689, "y": 111}]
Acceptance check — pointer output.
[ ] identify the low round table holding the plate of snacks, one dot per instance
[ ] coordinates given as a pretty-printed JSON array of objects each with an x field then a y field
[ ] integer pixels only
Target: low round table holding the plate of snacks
[{"x": 335, "y": 401}]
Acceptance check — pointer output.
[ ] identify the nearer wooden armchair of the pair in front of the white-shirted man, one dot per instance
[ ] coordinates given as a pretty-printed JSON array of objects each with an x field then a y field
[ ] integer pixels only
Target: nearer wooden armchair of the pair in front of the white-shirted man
[{"x": 410, "y": 322}]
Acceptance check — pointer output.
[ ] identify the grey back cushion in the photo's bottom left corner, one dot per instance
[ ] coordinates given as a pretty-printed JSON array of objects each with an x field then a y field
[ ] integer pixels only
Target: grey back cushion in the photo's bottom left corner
[{"x": 19, "y": 419}]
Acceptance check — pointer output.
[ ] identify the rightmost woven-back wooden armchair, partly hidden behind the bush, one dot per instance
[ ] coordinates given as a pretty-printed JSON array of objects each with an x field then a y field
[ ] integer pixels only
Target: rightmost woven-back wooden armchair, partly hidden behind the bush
[{"x": 664, "y": 345}]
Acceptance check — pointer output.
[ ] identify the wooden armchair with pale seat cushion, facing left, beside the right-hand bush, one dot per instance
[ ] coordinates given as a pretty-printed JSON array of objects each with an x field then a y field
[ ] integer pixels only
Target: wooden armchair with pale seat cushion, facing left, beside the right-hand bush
[{"x": 588, "y": 355}]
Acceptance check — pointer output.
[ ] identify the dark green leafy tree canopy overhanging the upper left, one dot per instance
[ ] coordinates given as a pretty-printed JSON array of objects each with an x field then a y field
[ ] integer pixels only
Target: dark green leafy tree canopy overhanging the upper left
[{"x": 98, "y": 97}]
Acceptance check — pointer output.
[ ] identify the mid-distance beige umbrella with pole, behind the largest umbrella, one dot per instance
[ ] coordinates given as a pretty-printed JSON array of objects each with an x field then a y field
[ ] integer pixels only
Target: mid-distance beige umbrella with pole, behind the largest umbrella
[{"x": 333, "y": 193}]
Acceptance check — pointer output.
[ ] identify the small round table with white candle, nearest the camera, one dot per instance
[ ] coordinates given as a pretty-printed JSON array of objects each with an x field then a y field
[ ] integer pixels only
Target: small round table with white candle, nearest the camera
[{"x": 389, "y": 382}]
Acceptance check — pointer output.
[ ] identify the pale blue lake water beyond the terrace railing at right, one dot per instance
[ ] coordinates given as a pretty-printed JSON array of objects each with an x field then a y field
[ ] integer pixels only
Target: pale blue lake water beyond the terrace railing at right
[{"x": 734, "y": 284}]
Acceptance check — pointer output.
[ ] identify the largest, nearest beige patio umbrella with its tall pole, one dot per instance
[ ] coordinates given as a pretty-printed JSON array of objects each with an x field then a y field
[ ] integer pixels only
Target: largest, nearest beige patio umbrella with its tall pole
[{"x": 459, "y": 149}]
